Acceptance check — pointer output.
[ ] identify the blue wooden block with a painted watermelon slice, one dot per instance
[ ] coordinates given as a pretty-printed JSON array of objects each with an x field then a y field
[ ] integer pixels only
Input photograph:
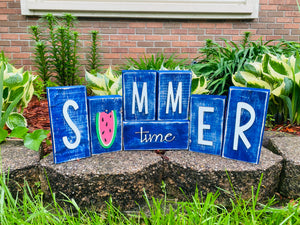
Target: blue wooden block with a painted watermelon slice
[{"x": 105, "y": 114}]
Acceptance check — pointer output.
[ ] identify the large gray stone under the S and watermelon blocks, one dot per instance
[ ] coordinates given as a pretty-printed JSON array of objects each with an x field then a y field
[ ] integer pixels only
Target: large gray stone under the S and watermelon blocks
[{"x": 92, "y": 181}]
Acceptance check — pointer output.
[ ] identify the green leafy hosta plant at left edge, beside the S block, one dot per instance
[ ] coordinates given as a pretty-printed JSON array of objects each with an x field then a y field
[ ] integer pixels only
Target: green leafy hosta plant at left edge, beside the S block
[{"x": 11, "y": 82}]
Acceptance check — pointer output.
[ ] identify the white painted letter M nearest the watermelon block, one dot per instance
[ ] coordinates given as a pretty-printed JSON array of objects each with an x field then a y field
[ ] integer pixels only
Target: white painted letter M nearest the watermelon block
[{"x": 140, "y": 102}]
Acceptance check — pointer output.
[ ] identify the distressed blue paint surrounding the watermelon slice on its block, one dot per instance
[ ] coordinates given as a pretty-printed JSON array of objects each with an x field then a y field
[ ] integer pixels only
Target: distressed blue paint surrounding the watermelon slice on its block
[{"x": 98, "y": 104}]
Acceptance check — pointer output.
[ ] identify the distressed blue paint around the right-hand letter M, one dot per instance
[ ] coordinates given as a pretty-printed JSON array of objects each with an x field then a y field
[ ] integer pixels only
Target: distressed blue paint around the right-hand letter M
[{"x": 165, "y": 110}]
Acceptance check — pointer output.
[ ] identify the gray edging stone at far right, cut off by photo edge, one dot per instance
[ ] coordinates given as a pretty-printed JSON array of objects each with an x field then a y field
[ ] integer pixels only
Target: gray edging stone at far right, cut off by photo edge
[{"x": 289, "y": 148}]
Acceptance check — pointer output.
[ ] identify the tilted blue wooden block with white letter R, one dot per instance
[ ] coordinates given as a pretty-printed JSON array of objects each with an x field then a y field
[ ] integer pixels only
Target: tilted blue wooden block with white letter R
[{"x": 245, "y": 120}]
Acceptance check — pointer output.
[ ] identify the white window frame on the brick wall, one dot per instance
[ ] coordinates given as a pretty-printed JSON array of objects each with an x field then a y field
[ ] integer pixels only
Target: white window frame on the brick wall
[{"x": 181, "y": 9}]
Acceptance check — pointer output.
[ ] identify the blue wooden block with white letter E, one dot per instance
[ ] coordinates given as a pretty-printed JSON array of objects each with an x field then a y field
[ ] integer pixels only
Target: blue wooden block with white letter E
[{"x": 207, "y": 119}]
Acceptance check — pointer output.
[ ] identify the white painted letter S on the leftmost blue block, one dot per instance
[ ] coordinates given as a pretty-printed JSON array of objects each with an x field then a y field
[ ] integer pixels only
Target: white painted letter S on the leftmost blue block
[{"x": 71, "y": 124}]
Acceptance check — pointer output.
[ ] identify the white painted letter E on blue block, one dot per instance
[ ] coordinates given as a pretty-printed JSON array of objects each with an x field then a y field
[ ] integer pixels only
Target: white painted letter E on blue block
[{"x": 202, "y": 126}]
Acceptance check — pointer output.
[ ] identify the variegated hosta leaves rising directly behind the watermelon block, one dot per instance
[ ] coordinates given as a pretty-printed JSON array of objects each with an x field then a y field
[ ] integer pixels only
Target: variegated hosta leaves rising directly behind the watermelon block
[{"x": 104, "y": 84}]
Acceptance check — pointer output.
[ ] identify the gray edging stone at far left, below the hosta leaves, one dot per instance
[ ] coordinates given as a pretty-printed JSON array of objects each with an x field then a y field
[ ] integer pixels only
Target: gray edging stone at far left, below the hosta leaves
[{"x": 20, "y": 163}]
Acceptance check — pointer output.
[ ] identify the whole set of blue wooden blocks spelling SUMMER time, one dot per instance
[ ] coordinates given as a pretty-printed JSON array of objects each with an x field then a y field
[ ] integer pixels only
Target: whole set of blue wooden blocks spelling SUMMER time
[{"x": 157, "y": 112}]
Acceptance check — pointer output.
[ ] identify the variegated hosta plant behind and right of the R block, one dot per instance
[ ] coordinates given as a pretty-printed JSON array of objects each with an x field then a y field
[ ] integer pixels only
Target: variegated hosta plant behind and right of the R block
[{"x": 282, "y": 76}]
